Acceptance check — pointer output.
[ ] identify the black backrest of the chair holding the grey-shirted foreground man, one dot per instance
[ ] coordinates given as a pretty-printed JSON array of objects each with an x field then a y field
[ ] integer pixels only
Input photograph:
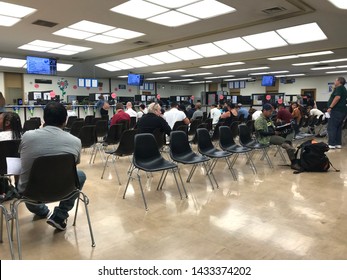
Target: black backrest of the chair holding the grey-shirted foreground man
[{"x": 52, "y": 178}]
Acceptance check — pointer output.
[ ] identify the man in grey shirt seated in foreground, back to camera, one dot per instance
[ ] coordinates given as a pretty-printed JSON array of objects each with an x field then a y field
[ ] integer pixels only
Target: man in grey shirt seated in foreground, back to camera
[{"x": 46, "y": 141}]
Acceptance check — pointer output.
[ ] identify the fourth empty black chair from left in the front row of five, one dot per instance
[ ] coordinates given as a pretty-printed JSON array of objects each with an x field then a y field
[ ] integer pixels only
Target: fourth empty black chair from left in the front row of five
[{"x": 227, "y": 143}]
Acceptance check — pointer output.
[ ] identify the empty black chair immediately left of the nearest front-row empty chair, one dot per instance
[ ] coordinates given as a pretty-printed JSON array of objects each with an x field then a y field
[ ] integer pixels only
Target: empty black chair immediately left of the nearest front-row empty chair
[{"x": 125, "y": 148}]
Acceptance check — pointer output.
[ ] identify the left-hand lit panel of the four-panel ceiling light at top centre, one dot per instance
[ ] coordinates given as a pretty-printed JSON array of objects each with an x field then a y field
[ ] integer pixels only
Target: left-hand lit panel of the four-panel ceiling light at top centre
[{"x": 139, "y": 9}]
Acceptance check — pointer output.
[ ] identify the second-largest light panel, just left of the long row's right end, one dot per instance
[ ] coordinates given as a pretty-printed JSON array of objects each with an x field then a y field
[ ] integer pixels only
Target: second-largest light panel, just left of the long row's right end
[{"x": 265, "y": 40}]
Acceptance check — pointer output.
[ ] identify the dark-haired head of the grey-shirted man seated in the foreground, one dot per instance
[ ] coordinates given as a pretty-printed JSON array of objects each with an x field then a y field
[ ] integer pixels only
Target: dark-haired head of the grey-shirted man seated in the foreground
[{"x": 55, "y": 114}]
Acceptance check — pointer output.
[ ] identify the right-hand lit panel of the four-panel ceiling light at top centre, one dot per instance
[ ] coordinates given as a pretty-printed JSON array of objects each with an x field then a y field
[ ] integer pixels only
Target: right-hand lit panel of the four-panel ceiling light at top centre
[{"x": 206, "y": 9}]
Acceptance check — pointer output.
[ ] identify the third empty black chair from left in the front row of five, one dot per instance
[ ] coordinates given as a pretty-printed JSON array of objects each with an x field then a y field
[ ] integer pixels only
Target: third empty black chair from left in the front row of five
[{"x": 206, "y": 148}]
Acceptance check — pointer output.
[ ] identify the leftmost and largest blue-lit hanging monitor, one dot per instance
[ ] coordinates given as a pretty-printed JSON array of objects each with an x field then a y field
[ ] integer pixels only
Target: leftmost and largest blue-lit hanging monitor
[{"x": 41, "y": 65}]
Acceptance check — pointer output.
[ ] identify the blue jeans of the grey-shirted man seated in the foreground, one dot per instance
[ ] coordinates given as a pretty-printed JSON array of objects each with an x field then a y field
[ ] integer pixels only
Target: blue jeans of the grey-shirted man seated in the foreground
[{"x": 64, "y": 207}]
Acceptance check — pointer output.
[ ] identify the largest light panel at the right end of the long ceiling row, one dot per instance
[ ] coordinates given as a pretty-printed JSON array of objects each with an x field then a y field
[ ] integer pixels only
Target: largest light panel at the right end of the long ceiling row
[{"x": 304, "y": 33}]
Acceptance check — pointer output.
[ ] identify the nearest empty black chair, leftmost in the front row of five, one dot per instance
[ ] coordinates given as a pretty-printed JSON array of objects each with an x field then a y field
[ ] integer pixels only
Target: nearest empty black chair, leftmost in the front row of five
[{"x": 148, "y": 158}]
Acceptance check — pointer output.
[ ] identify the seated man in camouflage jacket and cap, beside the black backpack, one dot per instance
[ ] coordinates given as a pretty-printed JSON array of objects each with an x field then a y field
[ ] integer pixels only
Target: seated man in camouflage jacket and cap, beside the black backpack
[{"x": 266, "y": 134}]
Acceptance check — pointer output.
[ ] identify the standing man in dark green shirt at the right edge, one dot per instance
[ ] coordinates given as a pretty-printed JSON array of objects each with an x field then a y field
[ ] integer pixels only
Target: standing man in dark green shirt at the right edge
[{"x": 337, "y": 111}]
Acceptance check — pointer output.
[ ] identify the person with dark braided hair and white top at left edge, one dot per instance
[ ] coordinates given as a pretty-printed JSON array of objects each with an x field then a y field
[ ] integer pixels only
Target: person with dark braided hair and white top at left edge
[{"x": 10, "y": 126}]
